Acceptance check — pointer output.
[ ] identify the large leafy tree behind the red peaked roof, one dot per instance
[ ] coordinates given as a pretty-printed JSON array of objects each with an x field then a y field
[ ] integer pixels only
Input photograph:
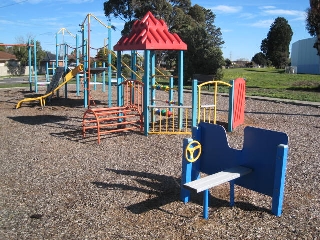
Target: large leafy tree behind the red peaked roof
[{"x": 194, "y": 25}]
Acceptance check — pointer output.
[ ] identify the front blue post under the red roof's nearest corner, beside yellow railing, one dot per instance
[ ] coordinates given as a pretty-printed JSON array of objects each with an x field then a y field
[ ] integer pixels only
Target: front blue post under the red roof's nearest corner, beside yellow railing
[{"x": 146, "y": 95}]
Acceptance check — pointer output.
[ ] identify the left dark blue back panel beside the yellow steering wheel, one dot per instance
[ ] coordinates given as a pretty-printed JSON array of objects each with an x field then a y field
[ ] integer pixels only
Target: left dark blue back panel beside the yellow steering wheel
[{"x": 216, "y": 153}]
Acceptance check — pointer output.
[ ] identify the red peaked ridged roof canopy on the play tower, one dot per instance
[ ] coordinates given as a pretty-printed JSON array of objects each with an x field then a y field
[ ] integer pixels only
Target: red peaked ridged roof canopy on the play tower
[{"x": 150, "y": 33}]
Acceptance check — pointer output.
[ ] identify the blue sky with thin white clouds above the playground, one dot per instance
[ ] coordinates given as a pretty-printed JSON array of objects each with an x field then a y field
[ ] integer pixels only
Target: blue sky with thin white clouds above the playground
[{"x": 243, "y": 23}]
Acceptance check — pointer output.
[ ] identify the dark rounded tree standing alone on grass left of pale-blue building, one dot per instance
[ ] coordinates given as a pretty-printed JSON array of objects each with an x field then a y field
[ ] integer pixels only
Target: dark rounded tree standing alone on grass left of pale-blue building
[{"x": 276, "y": 45}]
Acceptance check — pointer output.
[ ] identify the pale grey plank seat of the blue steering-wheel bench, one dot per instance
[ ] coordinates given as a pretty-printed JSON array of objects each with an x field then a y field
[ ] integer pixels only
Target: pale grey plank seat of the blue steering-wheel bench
[{"x": 218, "y": 178}]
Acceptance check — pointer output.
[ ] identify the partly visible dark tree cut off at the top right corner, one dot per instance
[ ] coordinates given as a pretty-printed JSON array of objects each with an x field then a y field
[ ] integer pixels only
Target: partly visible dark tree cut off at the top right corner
[{"x": 313, "y": 22}]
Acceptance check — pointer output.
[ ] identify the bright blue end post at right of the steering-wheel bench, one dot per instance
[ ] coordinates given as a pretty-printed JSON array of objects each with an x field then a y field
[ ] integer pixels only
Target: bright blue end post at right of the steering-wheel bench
[{"x": 279, "y": 179}]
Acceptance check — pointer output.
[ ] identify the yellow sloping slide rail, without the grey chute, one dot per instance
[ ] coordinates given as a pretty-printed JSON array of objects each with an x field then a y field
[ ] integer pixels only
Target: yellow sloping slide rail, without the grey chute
[{"x": 42, "y": 99}]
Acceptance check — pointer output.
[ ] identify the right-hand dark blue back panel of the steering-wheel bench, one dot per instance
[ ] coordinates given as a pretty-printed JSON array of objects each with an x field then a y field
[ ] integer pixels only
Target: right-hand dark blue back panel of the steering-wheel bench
[{"x": 259, "y": 153}]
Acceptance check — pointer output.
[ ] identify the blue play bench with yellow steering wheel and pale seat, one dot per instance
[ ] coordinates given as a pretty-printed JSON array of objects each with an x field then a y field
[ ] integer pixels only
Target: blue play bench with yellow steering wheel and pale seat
[{"x": 260, "y": 166}]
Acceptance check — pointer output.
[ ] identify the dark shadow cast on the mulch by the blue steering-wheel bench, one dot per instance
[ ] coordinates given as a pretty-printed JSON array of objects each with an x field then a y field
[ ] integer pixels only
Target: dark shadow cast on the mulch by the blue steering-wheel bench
[{"x": 164, "y": 190}]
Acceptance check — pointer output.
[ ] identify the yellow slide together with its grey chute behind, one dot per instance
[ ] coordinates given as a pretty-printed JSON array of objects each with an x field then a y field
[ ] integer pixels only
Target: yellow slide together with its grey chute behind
[{"x": 54, "y": 85}]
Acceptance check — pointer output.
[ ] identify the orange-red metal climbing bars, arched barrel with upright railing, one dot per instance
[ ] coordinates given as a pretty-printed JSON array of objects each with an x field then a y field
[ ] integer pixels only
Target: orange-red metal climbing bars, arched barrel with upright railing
[{"x": 127, "y": 116}]
